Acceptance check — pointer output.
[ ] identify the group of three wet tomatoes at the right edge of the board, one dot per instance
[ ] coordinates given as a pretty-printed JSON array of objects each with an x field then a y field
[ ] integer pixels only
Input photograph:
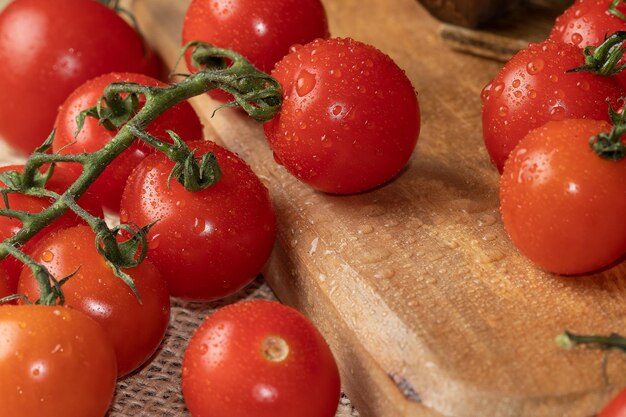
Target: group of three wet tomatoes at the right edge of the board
[{"x": 562, "y": 200}]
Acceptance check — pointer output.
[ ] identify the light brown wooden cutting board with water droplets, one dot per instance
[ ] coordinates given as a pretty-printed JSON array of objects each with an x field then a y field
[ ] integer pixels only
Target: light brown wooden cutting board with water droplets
[{"x": 428, "y": 307}]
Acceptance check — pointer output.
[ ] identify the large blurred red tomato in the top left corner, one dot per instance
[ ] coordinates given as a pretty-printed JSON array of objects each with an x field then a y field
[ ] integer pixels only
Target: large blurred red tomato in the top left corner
[{"x": 54, "y": 51}]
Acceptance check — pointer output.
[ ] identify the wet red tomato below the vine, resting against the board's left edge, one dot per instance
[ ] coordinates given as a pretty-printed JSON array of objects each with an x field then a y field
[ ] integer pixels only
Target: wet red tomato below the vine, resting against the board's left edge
[{"x": 210, "y": 243}]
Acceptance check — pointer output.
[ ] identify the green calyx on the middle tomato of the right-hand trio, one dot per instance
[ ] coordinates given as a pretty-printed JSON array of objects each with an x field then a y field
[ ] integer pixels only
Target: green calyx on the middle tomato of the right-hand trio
[{"x": 604, "y": 59}]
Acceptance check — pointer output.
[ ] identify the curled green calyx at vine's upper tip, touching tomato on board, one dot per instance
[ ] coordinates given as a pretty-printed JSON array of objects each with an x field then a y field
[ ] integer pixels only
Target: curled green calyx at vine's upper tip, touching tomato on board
[{"x": 259, "y": 95}]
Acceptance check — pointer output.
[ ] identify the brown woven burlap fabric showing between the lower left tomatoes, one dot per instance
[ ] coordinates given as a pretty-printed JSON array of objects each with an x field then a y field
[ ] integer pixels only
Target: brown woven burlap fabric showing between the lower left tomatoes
[{"x": 154, "y": 391}]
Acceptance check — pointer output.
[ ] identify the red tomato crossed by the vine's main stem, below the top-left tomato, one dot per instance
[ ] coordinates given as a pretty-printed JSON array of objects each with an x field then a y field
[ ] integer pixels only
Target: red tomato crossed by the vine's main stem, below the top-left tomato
[{"x": 109, "y": 186}]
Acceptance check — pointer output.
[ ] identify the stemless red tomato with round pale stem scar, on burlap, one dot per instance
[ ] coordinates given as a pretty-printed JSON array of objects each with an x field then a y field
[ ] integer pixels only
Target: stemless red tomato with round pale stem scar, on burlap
[{"x": 259, "y": 358}]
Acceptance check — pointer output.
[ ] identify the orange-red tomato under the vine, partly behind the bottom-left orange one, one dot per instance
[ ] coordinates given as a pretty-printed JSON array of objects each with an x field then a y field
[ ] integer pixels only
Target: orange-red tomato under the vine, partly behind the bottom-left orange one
[{"x": 136, "y": 329}]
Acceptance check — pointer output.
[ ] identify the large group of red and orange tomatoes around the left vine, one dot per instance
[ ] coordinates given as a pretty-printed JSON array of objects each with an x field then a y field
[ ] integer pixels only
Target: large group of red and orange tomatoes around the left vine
[{"x": 349, "y": 122}]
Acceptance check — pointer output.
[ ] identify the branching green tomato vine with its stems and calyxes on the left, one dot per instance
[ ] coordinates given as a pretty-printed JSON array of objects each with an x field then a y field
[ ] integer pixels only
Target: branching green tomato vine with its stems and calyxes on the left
[{"x": 256, "y": 92}]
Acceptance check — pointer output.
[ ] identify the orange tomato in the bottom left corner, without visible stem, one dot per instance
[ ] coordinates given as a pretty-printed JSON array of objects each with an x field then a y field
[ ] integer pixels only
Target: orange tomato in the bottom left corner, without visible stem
[{"x": 54, "y": 361}]
